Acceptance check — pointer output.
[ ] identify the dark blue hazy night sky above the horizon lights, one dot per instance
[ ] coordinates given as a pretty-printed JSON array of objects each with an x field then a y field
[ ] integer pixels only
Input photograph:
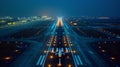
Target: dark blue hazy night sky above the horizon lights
[{"x": 60, "y": 7}]
